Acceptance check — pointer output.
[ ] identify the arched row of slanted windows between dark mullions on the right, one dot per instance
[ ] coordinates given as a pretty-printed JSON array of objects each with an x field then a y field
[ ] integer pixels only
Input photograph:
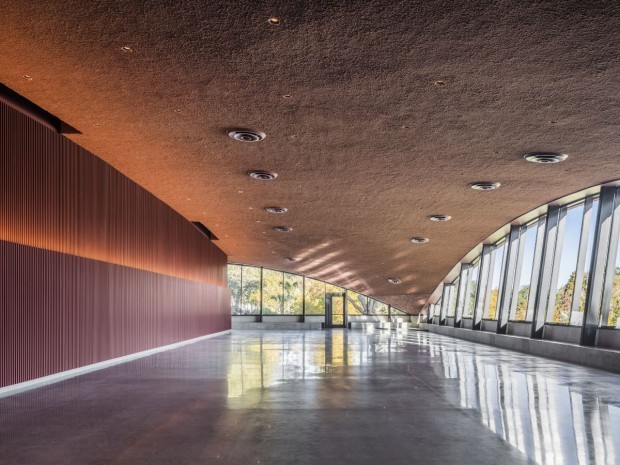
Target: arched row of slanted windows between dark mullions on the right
[{"x": 584, "y": 234}]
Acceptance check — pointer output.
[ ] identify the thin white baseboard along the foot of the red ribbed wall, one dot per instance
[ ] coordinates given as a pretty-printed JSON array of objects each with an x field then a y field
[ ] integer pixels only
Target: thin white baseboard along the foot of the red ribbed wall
[{"x": 56, "y": 377}]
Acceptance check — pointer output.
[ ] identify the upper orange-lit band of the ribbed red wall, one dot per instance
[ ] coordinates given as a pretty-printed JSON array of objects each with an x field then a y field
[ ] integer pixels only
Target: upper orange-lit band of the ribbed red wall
[{"x": 57, "y": 196}]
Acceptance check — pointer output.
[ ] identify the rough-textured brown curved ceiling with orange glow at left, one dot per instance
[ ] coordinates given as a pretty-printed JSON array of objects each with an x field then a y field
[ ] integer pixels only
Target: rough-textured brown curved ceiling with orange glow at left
[{"x": 394, "y": 107}]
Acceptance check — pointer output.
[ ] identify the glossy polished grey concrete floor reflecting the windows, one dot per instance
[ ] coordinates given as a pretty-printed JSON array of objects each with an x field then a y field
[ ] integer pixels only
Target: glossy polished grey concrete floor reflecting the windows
[{"x": 321, "y": 397}]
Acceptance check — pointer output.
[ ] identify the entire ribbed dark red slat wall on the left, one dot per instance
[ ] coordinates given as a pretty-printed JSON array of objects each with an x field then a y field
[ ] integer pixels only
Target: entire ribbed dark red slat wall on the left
[{"x": 92, "y": 266}]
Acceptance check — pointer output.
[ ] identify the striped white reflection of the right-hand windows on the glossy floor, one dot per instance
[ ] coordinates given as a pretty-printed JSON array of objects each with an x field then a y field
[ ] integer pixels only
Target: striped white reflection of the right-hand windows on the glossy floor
[{"x": 554, "y": 413}]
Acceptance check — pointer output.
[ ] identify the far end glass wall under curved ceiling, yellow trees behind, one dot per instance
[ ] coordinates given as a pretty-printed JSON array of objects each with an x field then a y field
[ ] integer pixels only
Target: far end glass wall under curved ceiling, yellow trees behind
[{"x": 279, "y": 293}]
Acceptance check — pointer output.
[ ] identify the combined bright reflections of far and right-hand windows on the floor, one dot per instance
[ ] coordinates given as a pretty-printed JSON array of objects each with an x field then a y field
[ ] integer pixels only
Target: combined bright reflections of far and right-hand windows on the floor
[{"x": 555, "y": 413}]
